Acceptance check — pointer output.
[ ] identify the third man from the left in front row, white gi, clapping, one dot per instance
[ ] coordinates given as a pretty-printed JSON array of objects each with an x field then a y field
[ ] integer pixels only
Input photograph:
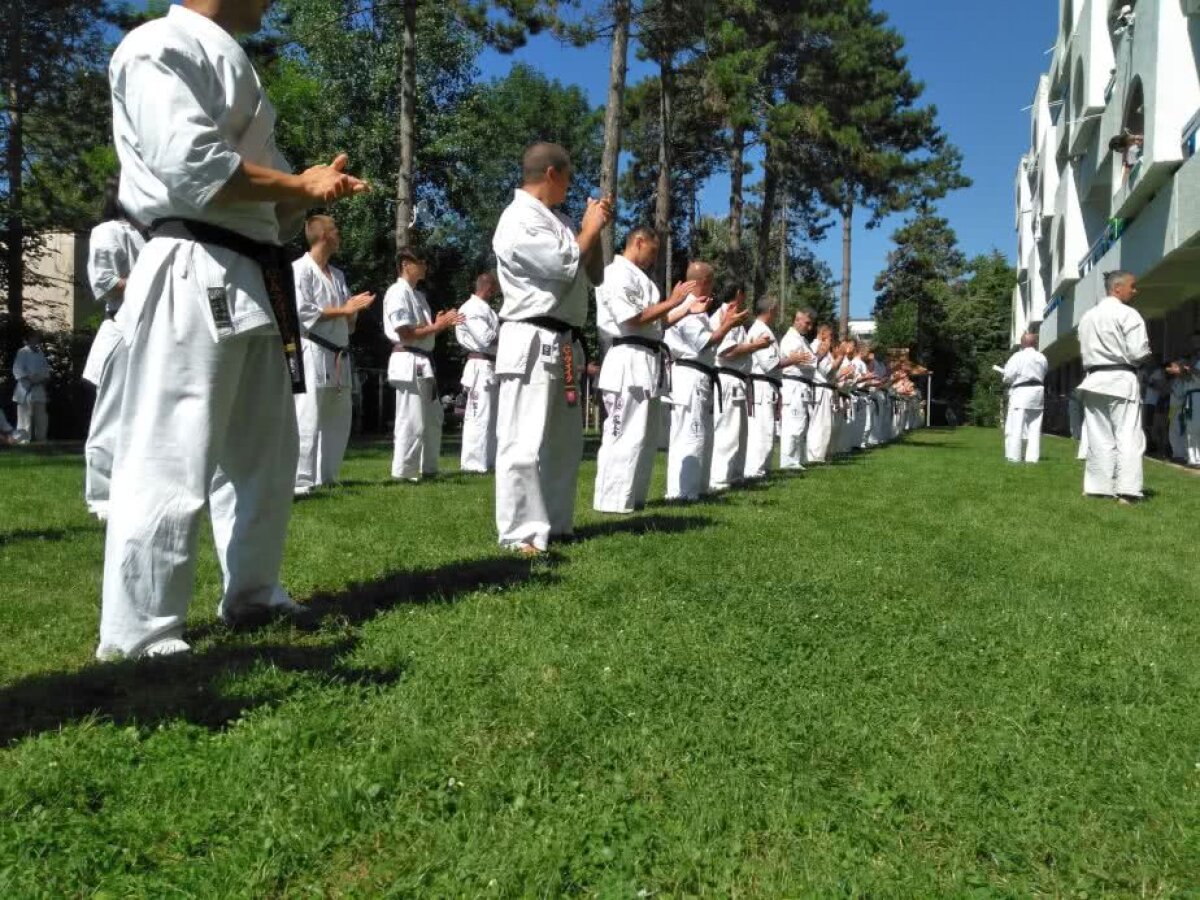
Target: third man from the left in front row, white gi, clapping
[{"x": 633, "y": 376}]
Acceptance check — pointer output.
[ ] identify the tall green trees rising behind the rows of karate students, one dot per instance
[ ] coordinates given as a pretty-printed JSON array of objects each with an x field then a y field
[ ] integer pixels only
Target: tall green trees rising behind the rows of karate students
[{"x": 818, "y": 93}]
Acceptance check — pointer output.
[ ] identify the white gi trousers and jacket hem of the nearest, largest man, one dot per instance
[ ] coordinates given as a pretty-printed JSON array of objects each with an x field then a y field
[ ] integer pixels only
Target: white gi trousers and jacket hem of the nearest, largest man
[{"x": 194, "y": 407}]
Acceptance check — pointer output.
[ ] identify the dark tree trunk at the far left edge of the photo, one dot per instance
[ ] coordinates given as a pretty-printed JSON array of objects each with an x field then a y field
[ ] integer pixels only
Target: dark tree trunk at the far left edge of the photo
[{"x": 15, "y": 229}]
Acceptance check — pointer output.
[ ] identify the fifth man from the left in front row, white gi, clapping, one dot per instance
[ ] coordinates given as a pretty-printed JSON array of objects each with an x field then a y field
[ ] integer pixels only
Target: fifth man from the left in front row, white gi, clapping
[{"x": 731, "y": 418}]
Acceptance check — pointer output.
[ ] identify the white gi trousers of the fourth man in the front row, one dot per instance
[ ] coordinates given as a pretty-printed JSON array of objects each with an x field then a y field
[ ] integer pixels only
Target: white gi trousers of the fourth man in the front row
[{"x": 691, "y": 452}]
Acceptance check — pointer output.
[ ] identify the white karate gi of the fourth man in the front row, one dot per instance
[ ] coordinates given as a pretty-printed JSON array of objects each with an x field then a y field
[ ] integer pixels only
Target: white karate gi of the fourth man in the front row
[{"x": 691, "y": 452}]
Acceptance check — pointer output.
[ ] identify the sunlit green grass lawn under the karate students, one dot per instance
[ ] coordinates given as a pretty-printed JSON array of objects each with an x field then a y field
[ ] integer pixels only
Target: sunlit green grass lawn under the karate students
[{"x": 920, "y": 673}]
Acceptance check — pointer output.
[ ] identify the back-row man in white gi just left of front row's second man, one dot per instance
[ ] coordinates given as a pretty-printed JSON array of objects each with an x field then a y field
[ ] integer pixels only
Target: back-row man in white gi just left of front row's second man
[{"x": 479, "y": 335}]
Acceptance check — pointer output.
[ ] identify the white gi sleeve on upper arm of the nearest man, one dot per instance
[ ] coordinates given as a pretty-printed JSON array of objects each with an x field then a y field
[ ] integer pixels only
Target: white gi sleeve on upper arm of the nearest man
[{"x": 166, "y": 100}]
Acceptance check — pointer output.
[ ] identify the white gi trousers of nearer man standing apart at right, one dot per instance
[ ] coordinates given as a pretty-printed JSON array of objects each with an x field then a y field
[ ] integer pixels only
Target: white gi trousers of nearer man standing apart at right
[{"x": 1115, "y": 446}]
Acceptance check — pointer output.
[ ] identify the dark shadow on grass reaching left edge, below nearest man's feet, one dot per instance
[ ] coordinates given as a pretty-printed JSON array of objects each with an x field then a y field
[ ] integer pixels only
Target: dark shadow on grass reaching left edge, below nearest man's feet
[{"x": 200, "y": 689}]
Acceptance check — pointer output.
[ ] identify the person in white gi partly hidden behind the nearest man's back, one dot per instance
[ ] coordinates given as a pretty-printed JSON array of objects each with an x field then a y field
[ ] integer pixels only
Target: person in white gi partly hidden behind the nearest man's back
[{"x": 113, "y": 250}]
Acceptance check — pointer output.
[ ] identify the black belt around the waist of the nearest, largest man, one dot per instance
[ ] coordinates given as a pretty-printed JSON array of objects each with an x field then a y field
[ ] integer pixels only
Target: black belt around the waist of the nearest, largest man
[{"x": 278, "y": 278}]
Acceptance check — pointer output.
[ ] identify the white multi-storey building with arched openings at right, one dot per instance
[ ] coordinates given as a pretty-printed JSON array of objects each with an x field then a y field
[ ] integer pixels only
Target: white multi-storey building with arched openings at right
[{"x": 1125, "y": 71}]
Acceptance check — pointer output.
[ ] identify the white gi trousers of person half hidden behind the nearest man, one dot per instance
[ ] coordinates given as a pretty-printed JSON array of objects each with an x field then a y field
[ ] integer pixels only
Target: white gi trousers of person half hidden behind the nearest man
[{"x": 107, "y": 362}]
